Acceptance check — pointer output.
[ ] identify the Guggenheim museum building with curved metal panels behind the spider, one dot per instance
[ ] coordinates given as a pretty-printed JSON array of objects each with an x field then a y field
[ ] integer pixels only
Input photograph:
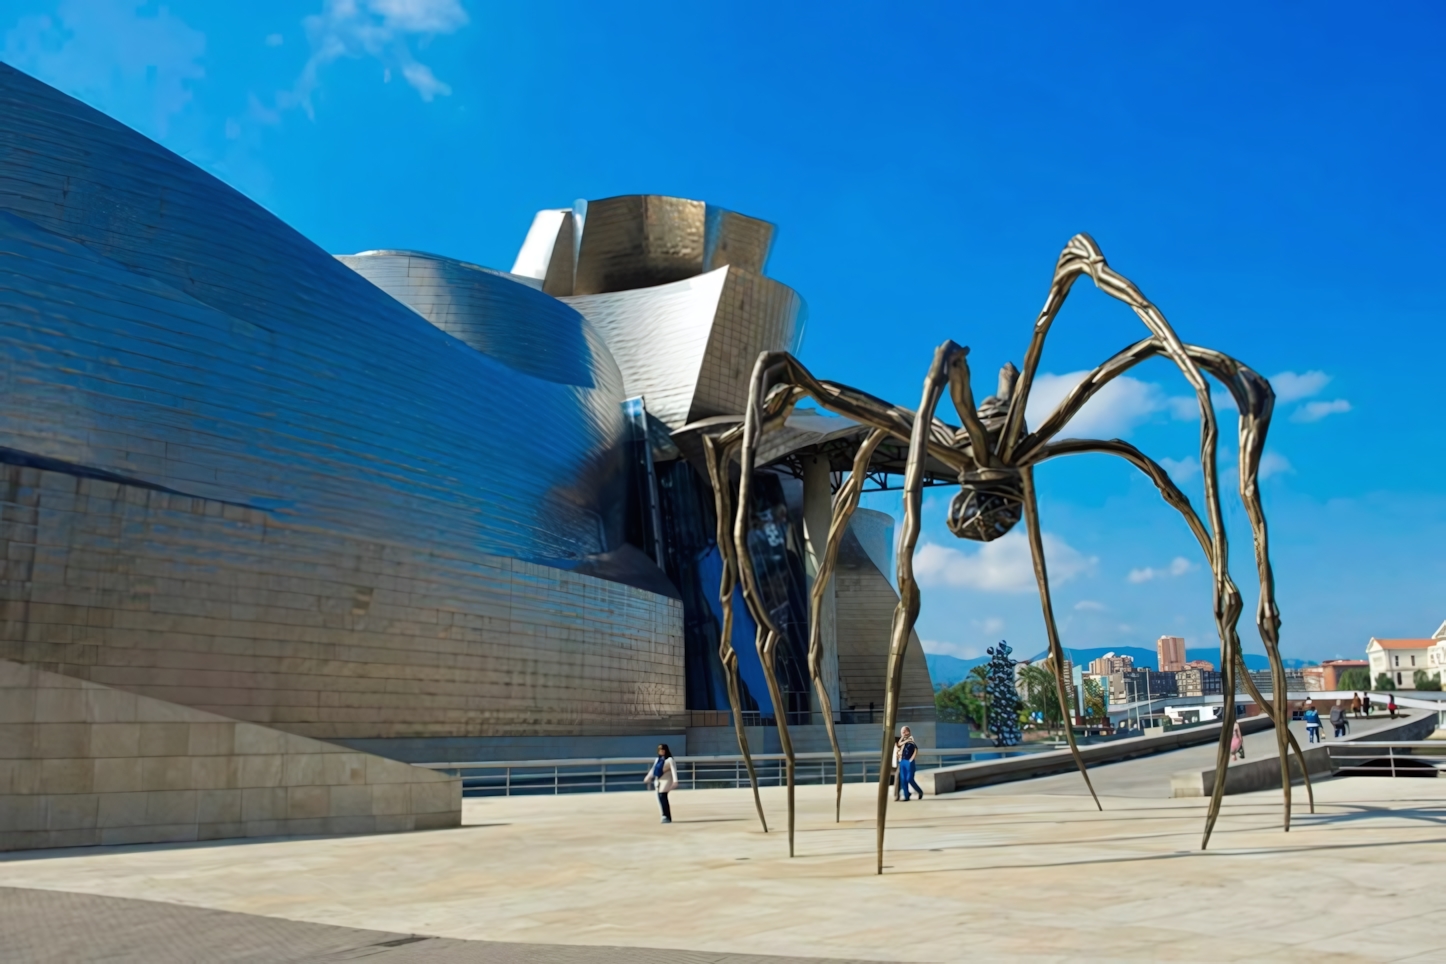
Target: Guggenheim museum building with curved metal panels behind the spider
[{"x": 394, "y": 501}]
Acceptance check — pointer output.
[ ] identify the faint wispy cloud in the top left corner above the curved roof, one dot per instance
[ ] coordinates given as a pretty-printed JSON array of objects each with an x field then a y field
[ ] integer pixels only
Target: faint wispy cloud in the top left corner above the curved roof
[{"x": 137, "y": 66}]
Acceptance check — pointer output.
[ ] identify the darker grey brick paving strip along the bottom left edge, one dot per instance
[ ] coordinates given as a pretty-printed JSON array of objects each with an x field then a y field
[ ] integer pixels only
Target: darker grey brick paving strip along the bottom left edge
[{"x": 43, "y": 927}]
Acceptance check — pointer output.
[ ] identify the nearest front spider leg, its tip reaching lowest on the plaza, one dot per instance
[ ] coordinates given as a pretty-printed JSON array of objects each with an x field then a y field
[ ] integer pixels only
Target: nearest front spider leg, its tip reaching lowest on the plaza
[{"x": 907, "y": 611}]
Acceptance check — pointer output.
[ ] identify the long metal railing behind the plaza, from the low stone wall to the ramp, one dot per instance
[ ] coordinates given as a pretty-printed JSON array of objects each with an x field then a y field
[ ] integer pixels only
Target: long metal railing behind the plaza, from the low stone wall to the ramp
[{"x": 612, "y": 775}]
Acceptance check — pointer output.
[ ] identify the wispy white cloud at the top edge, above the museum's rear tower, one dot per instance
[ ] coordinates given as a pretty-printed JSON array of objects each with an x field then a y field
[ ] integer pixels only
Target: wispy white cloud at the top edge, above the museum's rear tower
[{"x": 380, "y": 30}]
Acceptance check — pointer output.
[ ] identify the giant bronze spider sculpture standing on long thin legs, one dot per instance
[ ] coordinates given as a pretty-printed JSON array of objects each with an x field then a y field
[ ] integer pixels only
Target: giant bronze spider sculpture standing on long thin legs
[{"x": 994, "y": 456}]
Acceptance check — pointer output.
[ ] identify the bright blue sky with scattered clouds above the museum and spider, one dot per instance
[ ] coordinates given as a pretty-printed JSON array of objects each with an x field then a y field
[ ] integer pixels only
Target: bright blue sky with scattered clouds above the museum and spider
[{"x": 1269, "y": 174}]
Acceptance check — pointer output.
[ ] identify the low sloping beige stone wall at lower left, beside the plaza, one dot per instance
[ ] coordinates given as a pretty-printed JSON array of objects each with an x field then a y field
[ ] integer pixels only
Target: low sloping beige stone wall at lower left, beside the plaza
[{"x": 83, "y": 765}]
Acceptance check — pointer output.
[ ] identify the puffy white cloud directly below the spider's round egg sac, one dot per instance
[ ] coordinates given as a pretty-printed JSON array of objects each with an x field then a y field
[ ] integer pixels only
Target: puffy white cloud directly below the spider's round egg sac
[{"x": 1003, "y": 566}]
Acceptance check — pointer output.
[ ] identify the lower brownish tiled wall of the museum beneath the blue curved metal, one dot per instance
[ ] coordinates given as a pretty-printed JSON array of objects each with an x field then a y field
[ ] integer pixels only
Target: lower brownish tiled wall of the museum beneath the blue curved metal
[{"x": 231, "y": 611}]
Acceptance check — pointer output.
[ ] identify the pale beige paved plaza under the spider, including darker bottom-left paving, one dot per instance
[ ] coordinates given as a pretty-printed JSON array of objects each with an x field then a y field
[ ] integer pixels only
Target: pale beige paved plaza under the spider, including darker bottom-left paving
[{"x": 1011, "y": 874}]
